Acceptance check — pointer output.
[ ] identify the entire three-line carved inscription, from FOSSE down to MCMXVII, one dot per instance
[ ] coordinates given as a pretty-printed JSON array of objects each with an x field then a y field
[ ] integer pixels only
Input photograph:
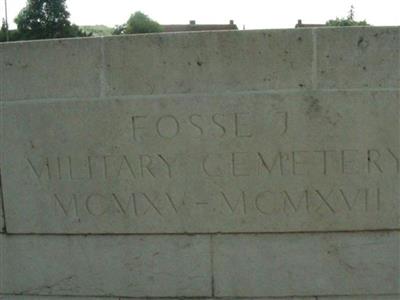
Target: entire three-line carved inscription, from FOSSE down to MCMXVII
[{"x": 228, "y": 168}]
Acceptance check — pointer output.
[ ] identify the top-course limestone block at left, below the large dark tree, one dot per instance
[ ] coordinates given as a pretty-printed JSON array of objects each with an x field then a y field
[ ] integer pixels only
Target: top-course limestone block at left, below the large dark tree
[{"x": 51, "y": 69}]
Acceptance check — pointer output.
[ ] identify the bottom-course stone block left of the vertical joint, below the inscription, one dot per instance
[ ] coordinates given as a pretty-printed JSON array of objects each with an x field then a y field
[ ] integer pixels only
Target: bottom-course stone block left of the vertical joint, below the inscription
[{"x": 134, "y": 266}]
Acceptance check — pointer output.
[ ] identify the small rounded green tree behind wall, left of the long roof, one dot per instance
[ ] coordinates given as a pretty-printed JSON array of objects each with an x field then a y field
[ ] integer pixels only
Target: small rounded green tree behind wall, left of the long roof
[{"x": 138, "y": 23}]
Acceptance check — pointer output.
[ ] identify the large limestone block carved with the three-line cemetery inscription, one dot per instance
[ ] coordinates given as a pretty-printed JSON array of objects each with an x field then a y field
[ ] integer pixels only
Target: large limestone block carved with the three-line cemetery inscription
[{"x": 252, "y": 162}]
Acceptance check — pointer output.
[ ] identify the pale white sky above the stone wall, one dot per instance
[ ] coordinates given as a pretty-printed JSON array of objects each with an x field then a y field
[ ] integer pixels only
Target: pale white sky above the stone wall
[{"x": 251, "y": 14}]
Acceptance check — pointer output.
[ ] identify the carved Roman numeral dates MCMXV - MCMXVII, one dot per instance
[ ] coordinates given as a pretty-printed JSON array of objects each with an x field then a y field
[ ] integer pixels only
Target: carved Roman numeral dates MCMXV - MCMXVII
[{"x": 266, "y": 202}]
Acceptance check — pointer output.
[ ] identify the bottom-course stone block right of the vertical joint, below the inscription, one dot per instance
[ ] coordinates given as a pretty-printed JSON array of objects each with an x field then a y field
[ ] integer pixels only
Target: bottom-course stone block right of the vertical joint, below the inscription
[{"x": 306, "y": 264}]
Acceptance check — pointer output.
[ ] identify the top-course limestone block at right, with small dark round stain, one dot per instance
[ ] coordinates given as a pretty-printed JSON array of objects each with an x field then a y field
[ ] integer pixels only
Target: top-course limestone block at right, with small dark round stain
[{"x": 359, "y": 57}]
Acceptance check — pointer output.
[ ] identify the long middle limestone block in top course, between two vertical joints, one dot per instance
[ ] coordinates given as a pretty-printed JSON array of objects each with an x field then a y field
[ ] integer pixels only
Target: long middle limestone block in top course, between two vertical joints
[{"x": 208, "y": 62}]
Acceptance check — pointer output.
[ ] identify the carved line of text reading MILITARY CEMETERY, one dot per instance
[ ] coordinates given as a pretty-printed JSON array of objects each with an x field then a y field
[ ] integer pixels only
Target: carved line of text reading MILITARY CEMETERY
[{"x": 261, "y": 163}]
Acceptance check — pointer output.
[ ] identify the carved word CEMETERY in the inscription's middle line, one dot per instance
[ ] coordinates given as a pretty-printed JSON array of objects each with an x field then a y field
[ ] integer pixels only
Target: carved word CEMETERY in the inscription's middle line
[{"x": 301, "y": 162}]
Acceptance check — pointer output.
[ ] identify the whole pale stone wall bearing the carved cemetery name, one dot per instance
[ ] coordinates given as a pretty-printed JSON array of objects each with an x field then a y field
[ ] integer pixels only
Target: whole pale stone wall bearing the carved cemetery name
[{"x": 209, "y": 165}]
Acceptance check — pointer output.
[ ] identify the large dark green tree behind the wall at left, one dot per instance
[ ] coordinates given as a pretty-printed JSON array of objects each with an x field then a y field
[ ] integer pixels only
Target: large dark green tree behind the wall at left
[{"x": 46, "y": 19}]
